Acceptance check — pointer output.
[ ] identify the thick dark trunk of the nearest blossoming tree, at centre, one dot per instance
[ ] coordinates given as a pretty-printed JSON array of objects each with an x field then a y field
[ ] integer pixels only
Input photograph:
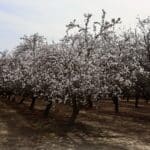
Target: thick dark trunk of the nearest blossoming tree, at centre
[{"x": 75, "y": 111}]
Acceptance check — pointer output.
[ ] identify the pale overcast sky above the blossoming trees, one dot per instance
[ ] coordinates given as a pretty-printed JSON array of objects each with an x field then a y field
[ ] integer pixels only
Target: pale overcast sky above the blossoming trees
[{"x": 49, "y": 17}]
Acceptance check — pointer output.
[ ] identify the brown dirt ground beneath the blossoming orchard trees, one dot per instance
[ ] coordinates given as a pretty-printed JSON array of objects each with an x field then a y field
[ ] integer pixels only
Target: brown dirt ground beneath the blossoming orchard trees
[{"x": 97, "y": 129}]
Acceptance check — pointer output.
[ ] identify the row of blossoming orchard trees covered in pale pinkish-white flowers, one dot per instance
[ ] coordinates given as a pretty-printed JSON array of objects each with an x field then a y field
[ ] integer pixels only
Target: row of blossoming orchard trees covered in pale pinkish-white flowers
[{"x": 93, "y": 61}]
